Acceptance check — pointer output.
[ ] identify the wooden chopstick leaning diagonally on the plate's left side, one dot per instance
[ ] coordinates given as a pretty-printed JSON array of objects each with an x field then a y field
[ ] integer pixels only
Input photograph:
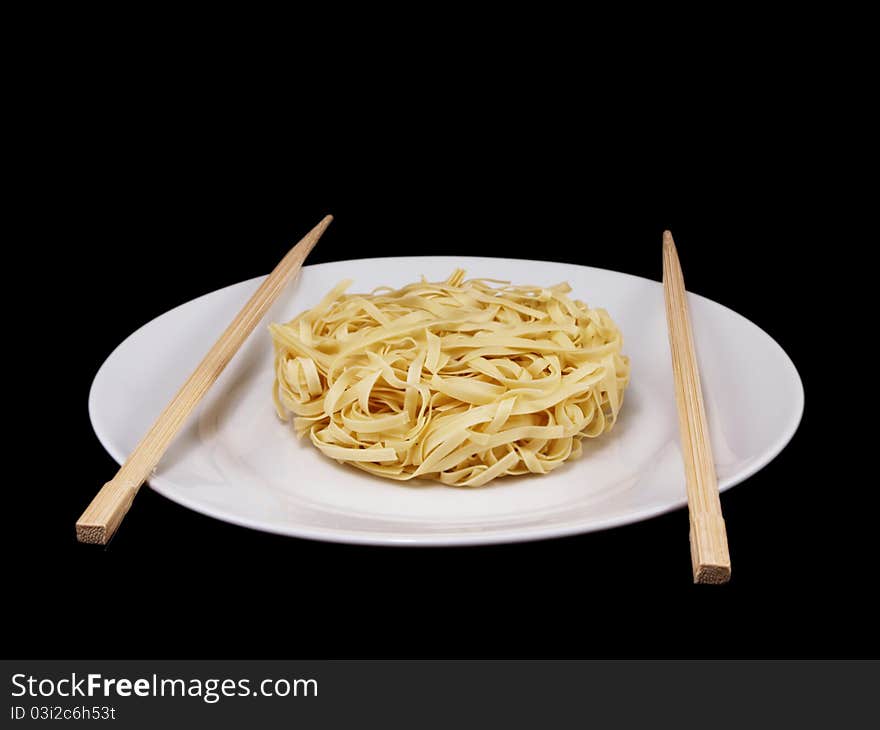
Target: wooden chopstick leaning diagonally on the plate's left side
[{"x": 102, "y": 517}]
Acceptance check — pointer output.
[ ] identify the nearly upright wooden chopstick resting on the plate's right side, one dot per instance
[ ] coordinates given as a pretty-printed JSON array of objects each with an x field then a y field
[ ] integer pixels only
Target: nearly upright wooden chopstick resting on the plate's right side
[{"x": 709, "y": 553}]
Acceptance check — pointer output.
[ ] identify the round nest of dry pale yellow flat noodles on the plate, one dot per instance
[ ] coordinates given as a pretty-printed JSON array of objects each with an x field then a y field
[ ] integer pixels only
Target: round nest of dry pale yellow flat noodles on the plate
[{"x": 459, "y": 381}]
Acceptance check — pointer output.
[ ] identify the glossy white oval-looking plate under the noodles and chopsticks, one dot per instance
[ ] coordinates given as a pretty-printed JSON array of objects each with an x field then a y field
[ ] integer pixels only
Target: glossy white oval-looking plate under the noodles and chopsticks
[{"x": 236, "y": 461}]
